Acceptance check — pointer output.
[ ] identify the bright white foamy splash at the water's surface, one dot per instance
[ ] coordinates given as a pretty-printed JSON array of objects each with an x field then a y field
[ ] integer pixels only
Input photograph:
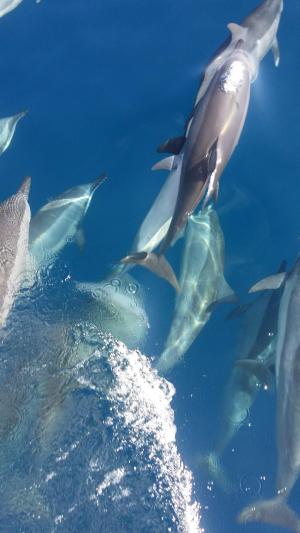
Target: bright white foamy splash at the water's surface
[{"x": 141, "y": 401}]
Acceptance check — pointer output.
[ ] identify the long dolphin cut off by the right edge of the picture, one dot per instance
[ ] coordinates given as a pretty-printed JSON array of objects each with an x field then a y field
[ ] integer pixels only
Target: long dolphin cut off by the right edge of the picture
[{"x": 287, "y": 361}]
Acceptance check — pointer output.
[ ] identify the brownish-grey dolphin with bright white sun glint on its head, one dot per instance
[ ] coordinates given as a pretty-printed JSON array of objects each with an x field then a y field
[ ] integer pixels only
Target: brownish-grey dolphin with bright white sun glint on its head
[{"x": 214, "y": 133}]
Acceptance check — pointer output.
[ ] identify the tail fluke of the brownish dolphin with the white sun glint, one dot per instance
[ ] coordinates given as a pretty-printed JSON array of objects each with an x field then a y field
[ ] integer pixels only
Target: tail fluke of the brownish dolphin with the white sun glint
[{"x": 156, "y": 264}]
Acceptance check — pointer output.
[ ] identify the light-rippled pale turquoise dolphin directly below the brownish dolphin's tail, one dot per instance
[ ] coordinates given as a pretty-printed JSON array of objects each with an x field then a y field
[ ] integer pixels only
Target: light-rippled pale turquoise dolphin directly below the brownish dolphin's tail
[{"x": 202, "y": 285}]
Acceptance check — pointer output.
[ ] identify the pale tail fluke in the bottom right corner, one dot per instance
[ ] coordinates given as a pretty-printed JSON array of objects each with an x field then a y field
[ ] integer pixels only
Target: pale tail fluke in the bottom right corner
[{"x": 275, "y": 512}]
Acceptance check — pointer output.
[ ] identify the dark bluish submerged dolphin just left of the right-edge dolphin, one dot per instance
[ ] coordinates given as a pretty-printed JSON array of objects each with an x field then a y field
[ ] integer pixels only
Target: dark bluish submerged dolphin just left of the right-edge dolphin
[{"x": 253, "y": 370}]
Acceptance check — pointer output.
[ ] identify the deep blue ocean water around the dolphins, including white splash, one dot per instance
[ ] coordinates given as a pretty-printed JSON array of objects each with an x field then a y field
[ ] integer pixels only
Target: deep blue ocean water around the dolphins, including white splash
[{"x": 105, "y": 83}]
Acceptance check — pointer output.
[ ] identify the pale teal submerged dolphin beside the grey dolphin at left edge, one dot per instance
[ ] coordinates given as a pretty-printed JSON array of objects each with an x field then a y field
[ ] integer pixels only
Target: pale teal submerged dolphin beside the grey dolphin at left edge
[{"x": 58, "y": 222}]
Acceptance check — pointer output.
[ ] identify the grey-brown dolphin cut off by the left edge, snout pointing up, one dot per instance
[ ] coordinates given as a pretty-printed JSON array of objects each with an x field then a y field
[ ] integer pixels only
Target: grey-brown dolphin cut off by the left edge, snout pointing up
[{"x": 14, "y": 230}]
